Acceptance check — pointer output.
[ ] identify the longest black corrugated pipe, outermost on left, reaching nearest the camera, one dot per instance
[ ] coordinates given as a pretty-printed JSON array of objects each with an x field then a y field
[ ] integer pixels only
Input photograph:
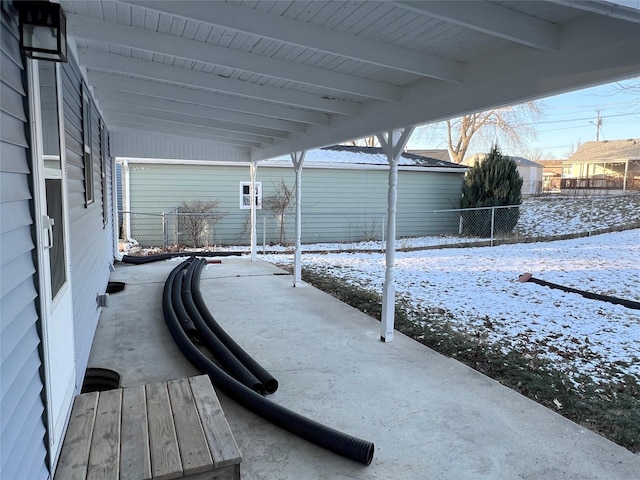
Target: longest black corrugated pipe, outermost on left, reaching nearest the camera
[{"x": 340, "y": 443}]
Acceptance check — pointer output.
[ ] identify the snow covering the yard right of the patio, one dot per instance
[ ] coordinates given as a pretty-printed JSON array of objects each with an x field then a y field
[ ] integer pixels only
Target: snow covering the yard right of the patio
[{"x": 480, "y": 287}]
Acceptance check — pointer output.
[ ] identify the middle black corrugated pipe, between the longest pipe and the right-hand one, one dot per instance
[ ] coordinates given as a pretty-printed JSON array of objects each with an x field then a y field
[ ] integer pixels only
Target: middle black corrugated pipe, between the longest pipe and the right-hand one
[{"x": 227, "y": 360}]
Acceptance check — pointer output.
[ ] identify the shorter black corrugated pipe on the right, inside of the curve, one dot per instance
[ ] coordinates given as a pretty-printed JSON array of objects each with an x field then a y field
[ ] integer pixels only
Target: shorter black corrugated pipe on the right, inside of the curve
[{"x": 268, "y": 381}]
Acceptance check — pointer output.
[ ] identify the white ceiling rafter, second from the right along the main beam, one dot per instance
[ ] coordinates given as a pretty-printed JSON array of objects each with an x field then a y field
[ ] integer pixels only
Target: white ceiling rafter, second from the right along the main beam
[{"x": 491, "y": 19}]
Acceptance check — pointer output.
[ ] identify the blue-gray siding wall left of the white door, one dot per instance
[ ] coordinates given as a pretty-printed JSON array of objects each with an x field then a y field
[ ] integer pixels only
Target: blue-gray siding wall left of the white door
[{"x": 22, "y": 429}]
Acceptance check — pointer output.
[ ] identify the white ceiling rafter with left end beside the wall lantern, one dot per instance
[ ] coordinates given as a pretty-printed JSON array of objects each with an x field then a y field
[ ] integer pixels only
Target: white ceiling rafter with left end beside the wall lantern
[{"x": 147, "y": 40}]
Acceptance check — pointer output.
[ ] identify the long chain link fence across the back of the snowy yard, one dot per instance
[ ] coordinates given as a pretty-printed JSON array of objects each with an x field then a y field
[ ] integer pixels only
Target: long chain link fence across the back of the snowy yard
[{"x": 536, "y": 218}]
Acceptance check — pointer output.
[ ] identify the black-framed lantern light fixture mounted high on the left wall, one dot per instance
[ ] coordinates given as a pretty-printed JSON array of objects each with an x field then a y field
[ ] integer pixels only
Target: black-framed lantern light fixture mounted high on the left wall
[{"x": 43, "y": 30}]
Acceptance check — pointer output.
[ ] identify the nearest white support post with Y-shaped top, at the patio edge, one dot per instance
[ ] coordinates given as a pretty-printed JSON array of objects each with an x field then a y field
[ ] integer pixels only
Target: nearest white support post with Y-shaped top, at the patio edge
[{"x": 393, "y": 145}]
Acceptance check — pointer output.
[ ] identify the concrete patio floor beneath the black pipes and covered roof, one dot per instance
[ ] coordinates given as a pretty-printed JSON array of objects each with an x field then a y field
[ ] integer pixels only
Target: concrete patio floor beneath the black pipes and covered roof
[{"x": 428, "y": 415}]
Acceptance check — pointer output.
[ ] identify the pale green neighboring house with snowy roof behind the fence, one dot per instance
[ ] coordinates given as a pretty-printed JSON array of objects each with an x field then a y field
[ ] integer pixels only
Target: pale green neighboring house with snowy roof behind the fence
[{"x": 344, "y": 196}]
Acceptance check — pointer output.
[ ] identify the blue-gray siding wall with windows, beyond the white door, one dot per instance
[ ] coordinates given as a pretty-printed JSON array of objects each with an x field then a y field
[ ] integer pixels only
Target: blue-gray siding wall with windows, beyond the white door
[{"x": 90, "y": 239}]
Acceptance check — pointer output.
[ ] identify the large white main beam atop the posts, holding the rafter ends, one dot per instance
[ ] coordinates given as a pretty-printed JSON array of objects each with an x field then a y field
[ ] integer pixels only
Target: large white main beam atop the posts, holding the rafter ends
[{"x": 596, "y": 50}]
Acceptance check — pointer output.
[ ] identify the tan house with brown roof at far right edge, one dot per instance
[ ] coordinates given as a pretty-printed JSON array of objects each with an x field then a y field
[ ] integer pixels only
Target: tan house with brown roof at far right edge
[{"x": 603, "y": 167}]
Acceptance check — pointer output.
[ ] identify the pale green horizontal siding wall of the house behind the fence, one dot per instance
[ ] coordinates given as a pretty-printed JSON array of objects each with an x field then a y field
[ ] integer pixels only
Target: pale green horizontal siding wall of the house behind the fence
[{"x": 338, "y": 204}]
